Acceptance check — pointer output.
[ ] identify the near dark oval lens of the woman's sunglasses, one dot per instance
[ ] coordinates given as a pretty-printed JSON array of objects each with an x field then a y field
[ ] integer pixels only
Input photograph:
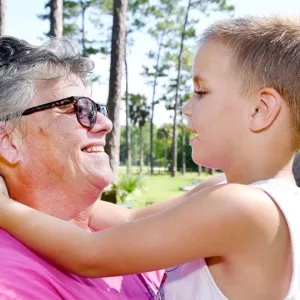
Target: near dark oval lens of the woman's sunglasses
[{"x": 86, "y": 112}]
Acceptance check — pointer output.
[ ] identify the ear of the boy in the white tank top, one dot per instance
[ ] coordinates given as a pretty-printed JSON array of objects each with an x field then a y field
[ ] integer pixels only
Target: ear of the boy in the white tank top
[{"x": 265, "y": 111}]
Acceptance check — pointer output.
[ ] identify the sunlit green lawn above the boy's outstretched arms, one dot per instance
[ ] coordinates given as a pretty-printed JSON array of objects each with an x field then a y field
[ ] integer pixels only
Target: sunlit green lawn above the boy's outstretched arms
[{"x": 158, "y": 188}]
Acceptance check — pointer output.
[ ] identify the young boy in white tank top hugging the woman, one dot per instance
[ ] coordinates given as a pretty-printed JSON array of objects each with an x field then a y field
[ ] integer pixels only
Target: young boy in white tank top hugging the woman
[{"x": 236, "y": 240}]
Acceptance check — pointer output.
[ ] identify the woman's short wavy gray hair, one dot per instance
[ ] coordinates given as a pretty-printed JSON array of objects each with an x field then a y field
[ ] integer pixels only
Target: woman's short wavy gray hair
[{"x": 23, "y": 65}]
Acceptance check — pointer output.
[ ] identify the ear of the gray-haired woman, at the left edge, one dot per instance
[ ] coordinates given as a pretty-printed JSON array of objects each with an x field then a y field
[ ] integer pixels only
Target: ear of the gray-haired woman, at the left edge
[{"x": 9, "y": 150}]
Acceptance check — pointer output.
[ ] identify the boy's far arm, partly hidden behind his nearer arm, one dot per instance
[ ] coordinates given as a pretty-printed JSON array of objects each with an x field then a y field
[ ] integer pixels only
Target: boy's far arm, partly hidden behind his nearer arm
[{"x": 105, "y": 214}]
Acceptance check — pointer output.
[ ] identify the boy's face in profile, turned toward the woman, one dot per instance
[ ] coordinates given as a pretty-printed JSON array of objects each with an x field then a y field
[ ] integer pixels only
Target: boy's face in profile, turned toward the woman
[{"x": 216, "y": 111}]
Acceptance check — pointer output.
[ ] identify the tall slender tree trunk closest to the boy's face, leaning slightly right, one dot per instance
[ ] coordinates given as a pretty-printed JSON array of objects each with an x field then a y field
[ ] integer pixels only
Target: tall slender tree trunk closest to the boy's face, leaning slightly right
[{"x": 174, "y": 144}]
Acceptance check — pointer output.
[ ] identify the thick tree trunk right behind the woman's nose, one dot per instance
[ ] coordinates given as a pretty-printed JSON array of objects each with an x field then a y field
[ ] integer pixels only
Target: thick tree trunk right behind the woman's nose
[{"x": 115, "y": 81}]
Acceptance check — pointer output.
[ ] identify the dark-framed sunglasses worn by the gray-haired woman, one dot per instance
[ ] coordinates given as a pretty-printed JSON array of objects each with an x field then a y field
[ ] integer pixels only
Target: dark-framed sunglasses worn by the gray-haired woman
[{"x": 85, "y": 108}]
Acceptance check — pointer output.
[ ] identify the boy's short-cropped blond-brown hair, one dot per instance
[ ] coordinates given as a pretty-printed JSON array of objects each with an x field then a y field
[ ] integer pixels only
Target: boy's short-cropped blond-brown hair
[{"x": 266, "y": 53}]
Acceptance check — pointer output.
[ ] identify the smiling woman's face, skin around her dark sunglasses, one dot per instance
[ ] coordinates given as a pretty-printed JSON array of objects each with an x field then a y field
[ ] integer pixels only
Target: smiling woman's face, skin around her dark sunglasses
[{"x": 57, "y": 148}]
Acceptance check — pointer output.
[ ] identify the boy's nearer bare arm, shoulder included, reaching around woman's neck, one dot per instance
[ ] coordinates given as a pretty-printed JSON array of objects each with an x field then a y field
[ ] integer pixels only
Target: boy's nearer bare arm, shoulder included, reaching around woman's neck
[{"x": 209, "y": 223}]
